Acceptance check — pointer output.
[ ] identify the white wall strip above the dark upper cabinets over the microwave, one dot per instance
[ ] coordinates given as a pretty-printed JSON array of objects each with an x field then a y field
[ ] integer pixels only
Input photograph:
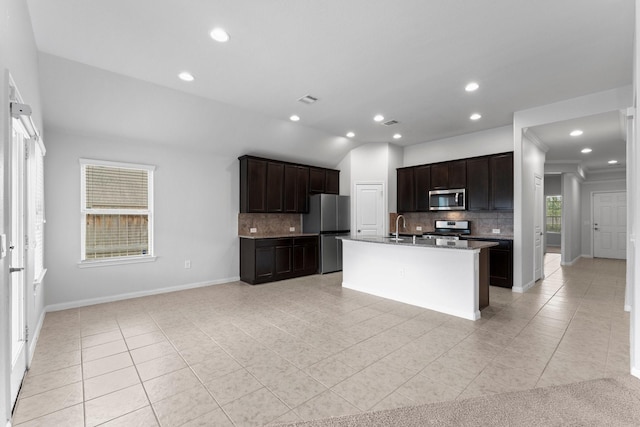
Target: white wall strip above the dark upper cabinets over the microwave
[{"x": 492, "y": 141}]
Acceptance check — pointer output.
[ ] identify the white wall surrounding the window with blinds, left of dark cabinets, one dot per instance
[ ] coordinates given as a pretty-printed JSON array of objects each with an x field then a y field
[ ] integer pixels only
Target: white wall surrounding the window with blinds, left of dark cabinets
[{"x": 196, "y": 206}]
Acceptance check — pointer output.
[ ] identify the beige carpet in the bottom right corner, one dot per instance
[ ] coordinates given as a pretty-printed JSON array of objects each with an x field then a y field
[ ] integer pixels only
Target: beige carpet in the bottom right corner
[{"x": 603, "y": 402}]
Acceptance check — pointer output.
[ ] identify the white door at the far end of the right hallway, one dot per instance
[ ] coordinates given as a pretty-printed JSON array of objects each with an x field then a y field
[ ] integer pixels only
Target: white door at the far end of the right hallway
[{"x": 610, "y": 225}]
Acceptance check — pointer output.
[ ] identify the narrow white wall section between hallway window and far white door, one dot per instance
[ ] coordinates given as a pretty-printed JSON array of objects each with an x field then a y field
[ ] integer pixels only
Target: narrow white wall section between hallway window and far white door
[{"x": 571, "y": 218}]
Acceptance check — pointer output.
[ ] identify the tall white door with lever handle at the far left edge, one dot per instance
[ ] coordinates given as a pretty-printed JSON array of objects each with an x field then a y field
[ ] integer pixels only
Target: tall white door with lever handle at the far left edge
[{"x": 17, "y": 253}]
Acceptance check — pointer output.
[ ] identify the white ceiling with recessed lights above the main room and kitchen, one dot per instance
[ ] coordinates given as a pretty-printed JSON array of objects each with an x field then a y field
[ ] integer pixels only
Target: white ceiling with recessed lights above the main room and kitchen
[{"x": 408, "y": 60}]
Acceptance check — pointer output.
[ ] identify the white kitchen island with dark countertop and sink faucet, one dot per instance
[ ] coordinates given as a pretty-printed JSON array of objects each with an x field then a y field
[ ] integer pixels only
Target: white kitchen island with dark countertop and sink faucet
[{"x": 449, "y": 276}]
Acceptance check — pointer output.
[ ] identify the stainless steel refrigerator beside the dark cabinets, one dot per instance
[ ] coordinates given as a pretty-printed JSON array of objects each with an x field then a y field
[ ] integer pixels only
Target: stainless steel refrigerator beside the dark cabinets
[{"x": 329, "y": 215}]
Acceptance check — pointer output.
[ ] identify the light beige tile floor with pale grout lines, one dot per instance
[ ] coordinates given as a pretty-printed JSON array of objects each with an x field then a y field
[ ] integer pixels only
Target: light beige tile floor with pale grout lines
[{"x": 300, "y": 349}]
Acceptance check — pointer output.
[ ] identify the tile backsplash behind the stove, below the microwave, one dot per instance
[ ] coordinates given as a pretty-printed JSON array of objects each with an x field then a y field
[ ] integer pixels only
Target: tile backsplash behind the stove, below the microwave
[{"x": 482, "y": 223}]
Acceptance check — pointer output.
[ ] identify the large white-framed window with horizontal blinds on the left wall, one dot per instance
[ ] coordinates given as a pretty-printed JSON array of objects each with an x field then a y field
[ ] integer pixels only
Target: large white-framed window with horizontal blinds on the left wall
[{"x": 117, "y": 212}]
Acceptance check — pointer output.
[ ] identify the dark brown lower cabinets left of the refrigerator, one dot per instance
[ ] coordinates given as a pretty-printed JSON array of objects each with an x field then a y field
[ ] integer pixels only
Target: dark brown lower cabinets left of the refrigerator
[{"x": 271, "y": 259}]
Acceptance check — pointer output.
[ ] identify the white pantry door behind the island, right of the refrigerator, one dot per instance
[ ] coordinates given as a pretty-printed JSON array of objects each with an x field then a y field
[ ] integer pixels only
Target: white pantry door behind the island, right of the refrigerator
[{"x": 369, "y": 210}]
